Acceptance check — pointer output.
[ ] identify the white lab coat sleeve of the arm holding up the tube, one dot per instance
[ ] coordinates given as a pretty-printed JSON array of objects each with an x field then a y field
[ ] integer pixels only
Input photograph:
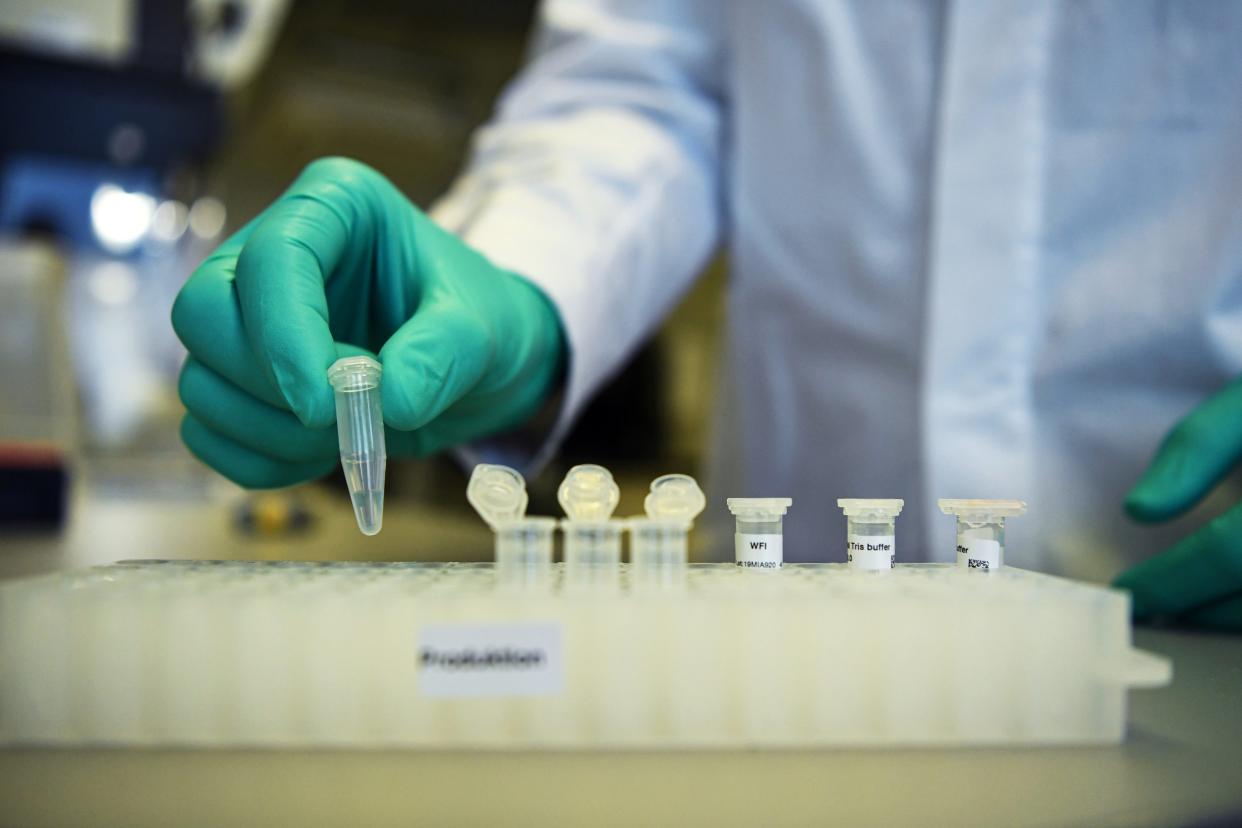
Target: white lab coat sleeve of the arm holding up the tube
[{"x": 598, "y": 179}]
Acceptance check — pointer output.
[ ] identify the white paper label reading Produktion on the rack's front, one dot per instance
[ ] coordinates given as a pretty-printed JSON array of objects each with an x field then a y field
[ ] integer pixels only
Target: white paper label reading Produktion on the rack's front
[{"x": 474, "y": 661}]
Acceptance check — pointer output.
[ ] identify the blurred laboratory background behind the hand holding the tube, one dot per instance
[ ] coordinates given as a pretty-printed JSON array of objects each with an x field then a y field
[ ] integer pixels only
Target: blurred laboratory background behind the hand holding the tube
[{"x": 141, "y": 133}]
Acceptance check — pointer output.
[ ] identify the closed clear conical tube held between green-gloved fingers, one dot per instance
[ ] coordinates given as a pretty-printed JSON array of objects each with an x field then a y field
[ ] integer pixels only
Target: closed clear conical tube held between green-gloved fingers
[{"x": 361, "y": 433}]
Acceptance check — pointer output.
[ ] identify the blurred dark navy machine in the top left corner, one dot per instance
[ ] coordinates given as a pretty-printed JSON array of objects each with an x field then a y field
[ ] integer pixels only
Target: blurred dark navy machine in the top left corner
[{"x": 143, "y": 81}]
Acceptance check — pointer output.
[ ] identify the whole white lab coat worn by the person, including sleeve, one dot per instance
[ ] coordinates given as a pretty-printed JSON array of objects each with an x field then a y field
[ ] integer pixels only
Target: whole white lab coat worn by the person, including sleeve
[{"x": 978, "y": 249}]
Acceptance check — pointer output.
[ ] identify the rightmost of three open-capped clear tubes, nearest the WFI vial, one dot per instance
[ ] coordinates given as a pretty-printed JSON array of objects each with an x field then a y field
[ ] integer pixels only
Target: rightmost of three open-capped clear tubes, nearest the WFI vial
[{"x": 658, "y": 542}]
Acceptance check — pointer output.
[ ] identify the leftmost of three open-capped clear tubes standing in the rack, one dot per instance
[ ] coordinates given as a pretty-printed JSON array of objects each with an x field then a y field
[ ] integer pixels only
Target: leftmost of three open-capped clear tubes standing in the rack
[{"x": 524, "y": 546}]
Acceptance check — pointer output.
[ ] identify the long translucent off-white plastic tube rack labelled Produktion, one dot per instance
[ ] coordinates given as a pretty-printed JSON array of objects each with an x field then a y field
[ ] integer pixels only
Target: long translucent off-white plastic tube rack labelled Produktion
[{"x": 331, "y": 655}]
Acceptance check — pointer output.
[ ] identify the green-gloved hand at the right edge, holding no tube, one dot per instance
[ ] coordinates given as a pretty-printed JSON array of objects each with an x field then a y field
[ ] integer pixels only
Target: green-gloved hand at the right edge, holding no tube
[{"x": 1199, "y": 580}]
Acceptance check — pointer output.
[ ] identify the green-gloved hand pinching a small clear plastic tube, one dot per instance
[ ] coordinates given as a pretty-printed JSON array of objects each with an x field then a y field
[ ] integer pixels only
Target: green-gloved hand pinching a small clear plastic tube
[{"x": 343, "y": 264}]
